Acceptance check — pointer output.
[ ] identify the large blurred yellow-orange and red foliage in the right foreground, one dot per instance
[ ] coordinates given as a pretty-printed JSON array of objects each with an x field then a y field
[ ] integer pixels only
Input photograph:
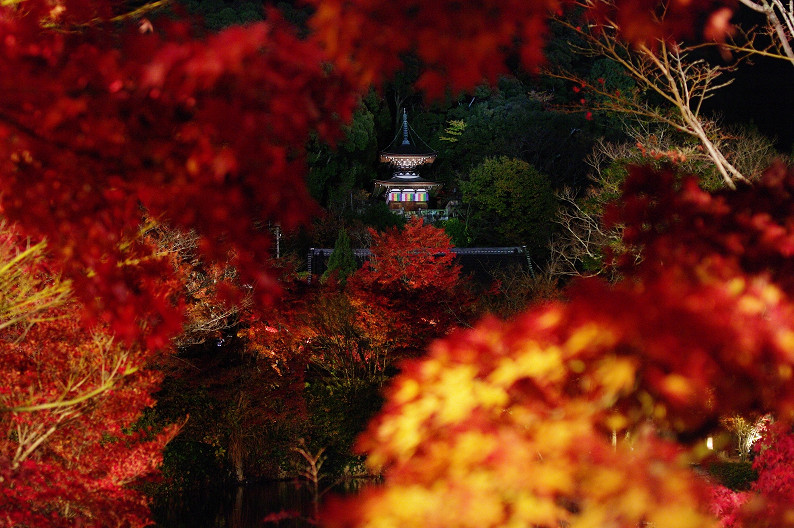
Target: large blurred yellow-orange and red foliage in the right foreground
[{"x": 509, "y": 424}]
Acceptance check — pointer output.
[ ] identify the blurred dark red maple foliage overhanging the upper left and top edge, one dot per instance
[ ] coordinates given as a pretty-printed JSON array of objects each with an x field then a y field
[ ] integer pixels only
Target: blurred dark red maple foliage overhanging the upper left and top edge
[{"x": 100, "y": 122}]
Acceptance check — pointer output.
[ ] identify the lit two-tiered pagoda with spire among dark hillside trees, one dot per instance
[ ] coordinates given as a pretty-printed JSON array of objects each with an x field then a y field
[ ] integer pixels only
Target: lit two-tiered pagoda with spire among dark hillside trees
[{"x": 406, "y": 191}]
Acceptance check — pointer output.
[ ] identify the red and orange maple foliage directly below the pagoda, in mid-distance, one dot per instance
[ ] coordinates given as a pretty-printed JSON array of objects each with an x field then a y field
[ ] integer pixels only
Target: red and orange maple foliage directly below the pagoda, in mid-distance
[{"x": 409, "y": 293}]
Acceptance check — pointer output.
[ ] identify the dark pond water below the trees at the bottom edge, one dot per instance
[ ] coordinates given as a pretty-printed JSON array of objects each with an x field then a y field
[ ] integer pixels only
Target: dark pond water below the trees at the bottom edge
[{"x": 237, "y": 507}]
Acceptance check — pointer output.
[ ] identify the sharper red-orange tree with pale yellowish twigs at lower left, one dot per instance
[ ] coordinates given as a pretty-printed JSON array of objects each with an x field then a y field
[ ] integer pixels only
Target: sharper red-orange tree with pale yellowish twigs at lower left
[{"x": 69, "y": 399}]
